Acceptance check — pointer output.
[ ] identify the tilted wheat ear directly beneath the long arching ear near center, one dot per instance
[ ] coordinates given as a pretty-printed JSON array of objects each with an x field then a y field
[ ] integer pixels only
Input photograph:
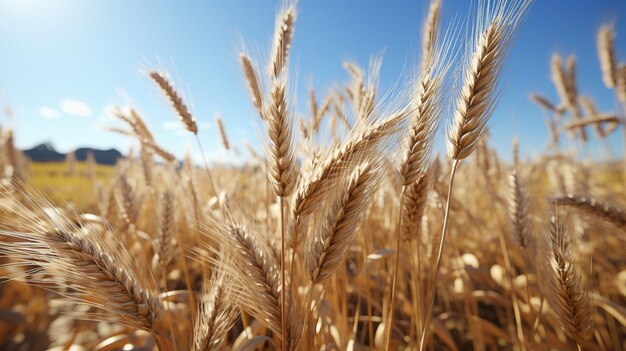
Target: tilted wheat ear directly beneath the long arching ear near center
[{"x": 327, "y": 249}]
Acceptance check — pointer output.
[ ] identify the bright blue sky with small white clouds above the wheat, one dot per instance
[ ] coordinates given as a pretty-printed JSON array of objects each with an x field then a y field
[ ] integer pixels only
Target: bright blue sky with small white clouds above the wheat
[{"x": 63, "y": 62}]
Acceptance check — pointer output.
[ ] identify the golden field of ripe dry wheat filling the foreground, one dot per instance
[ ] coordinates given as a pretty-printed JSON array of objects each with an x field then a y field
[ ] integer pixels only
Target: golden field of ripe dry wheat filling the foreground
[{"x": 348, "y": 231}]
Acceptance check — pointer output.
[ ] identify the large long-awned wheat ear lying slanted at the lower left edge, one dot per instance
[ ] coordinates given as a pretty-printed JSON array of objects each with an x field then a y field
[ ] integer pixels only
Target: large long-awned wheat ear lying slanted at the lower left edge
[{"x": 97, "y": 277}]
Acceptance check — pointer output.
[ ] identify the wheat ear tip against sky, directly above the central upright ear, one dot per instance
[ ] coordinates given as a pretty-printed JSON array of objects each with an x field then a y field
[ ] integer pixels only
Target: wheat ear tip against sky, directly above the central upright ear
[{"x": 283, "y": 35}]
